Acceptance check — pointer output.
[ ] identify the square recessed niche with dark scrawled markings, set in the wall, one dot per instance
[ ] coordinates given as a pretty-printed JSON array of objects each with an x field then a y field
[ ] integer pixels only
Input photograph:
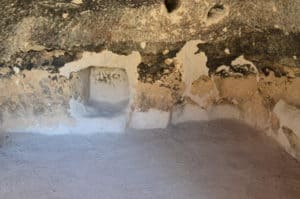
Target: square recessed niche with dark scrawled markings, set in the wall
[{"x": 105, "y": 91}]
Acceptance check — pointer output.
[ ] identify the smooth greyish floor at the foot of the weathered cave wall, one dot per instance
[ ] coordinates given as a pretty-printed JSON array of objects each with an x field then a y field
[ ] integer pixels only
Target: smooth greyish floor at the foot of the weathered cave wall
[{"x": 213, "y": 160}]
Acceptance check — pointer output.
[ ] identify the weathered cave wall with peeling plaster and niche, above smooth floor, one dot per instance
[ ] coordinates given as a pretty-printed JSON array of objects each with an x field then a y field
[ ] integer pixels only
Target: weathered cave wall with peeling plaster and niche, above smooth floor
[{"x": 86, "y": 66}]
